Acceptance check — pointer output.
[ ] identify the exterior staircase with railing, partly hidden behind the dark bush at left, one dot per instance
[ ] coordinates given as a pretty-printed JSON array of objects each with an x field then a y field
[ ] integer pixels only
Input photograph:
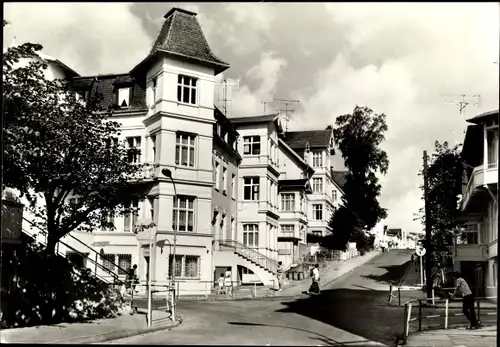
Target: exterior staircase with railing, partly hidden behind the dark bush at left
[{"x": 109, "y": 275}]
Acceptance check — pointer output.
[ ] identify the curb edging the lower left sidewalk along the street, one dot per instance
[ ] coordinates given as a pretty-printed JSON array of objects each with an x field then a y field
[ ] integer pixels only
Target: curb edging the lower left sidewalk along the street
[{"x": 120, "y": 334}]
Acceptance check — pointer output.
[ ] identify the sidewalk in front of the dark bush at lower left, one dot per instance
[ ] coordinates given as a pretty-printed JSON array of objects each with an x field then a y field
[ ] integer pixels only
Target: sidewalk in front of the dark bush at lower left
[{"x": 97, "y": 331}]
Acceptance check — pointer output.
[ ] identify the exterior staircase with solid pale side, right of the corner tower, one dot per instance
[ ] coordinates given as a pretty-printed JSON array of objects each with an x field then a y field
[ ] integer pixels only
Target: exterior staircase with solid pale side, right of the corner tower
[{"x": 262, "y": 266}]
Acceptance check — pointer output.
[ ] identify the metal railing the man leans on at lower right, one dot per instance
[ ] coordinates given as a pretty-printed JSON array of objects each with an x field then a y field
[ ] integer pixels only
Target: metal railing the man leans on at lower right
[{"x": 422, "y": 304}]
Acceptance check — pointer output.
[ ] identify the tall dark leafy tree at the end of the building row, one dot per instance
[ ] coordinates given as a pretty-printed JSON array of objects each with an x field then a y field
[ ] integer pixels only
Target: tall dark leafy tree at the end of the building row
[{"x": 358, "y": 136}]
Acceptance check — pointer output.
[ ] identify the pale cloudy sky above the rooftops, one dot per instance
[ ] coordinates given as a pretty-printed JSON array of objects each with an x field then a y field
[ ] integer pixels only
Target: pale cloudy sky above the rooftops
[{"x": 410, "y": 61}]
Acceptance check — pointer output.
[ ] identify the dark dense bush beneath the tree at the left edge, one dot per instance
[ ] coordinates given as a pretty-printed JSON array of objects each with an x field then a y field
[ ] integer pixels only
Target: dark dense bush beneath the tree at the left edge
[{"x": 50, "y": 290}]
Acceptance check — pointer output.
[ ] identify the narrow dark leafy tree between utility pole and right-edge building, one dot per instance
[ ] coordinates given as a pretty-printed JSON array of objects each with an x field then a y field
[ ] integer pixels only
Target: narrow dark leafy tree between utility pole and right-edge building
[{"x": 444, "y": 177}]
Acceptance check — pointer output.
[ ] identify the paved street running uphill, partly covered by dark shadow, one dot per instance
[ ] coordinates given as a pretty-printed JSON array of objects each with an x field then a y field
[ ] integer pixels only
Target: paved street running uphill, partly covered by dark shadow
[{"x": 351, "y": 313}]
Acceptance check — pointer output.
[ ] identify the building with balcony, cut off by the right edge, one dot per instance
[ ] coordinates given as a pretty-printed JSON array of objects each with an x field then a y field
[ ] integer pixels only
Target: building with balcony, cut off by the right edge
[{"x": 476, "y": 248}]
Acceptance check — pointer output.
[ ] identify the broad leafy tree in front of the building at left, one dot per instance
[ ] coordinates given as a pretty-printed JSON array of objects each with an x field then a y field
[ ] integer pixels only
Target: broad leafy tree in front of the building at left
[{"x": 56, "y": 147}]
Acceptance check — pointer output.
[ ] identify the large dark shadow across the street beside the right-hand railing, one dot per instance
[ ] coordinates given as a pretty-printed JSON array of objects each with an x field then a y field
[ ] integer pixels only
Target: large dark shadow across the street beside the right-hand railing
[{"x": 359, "y": 312}]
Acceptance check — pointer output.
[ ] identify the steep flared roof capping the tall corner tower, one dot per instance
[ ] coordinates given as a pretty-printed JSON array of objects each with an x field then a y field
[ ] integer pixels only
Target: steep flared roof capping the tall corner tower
[{"x": 181, "y": 35}]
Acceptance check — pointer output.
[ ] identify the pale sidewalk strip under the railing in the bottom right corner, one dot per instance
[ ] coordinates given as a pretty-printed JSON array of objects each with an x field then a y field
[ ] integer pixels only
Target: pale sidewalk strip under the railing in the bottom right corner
[{"x": 484, "y": 337}]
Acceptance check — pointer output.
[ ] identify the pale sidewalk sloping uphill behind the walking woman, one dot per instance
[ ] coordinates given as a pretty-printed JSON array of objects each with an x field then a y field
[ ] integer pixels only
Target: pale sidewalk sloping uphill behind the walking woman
[{"x": 328, "y": 274}]
